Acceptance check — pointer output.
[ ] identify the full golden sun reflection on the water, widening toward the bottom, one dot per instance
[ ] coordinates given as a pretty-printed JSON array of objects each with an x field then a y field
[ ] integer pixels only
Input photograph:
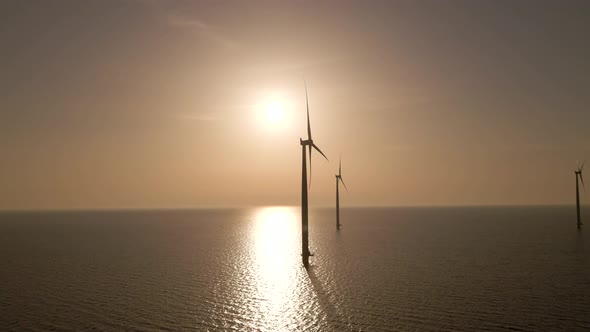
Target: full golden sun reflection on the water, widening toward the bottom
[{"x": 264, "y": 286}]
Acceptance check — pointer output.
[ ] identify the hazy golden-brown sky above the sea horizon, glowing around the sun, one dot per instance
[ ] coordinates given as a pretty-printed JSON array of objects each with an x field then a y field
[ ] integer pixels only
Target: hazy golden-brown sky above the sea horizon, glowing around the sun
[{"x": 138, "y": 103}]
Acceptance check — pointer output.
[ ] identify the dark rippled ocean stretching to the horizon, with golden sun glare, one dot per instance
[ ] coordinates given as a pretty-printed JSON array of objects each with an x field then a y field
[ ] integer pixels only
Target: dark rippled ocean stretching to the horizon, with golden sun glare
[{"x": 386, "y": 269}]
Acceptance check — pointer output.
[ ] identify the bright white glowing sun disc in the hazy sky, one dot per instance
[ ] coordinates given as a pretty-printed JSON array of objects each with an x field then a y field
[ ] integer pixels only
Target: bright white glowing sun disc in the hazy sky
[{"x": 274, "y": 112}]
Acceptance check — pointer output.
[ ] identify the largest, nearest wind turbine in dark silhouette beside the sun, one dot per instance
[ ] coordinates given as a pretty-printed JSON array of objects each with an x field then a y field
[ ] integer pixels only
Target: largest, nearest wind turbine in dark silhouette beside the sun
[{"x": 304, "y": 216}]
